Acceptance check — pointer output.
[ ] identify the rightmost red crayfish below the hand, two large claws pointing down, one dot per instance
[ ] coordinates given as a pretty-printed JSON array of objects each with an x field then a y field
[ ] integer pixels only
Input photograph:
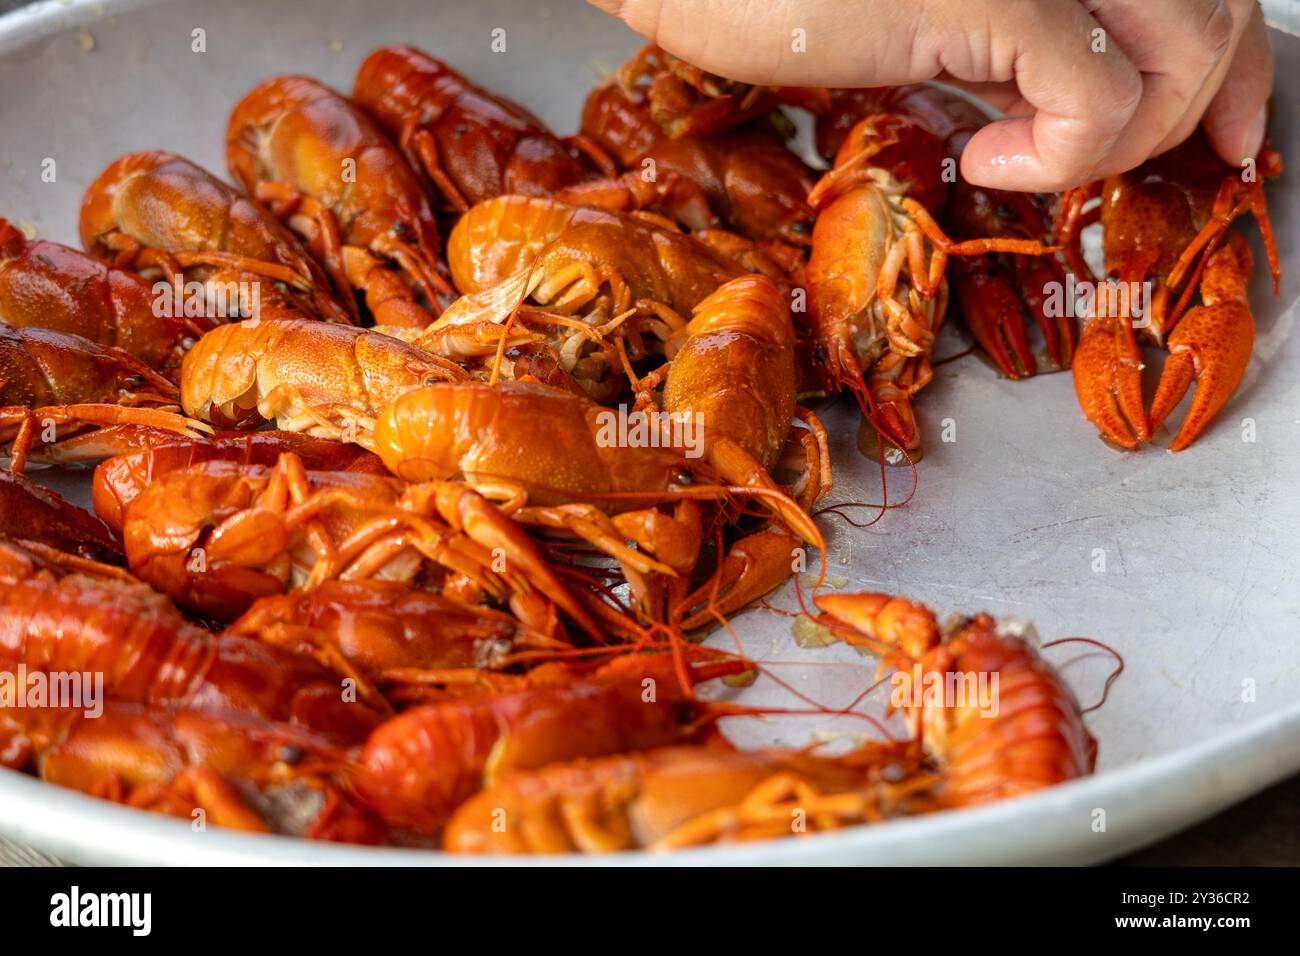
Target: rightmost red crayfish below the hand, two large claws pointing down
[{"x": 1162, "y": 227}]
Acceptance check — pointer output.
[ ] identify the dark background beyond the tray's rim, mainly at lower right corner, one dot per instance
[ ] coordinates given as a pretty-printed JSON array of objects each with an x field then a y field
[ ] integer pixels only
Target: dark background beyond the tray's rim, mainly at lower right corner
[{"x": 1263, "y": 832}]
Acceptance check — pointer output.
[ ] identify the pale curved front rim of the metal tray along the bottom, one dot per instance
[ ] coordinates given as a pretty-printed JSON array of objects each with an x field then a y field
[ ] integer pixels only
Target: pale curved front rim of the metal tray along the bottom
[{"x": 1146, "y": 802}]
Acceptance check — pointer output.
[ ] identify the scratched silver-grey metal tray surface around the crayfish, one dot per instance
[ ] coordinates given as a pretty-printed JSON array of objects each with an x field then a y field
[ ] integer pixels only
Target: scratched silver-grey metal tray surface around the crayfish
[{"x": 1184, "y": 564}]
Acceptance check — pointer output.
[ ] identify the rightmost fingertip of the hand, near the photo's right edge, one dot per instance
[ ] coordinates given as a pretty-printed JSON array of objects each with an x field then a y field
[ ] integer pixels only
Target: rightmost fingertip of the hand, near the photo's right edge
[{"x": 1238, "y": 114}]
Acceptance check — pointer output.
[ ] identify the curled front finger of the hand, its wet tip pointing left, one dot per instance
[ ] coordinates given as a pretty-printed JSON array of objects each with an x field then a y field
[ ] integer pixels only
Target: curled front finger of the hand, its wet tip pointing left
[{"x": 1084, "y": 97}]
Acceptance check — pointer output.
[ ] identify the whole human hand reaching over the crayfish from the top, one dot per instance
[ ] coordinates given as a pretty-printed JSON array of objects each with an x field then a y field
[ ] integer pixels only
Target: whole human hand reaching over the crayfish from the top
[{"x": 1090, "y": 88}]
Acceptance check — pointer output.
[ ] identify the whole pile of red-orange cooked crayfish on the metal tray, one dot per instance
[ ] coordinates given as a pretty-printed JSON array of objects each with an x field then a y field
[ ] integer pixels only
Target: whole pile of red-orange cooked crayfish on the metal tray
[{"x": 426, "y": 452}]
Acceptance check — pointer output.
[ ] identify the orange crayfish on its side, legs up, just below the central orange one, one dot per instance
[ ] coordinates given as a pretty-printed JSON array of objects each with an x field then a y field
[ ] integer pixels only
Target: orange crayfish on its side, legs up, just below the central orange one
[{"x": 218, "y": 535}]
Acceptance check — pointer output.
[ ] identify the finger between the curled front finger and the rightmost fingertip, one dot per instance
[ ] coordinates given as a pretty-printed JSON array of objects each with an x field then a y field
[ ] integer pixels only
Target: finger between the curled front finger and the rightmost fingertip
[{"x": 1180, "y": 47}]
